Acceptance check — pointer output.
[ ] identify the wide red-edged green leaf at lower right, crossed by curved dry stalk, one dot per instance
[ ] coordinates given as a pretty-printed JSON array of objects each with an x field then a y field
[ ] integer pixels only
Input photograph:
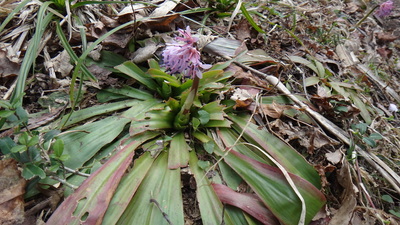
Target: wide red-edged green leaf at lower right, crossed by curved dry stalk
[{"x": 271, "y": 186}]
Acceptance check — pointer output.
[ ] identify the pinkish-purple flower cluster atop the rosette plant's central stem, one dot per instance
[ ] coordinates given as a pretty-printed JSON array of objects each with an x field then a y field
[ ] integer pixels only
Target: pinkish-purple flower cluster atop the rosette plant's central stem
[{"x": 181, "y": 56}]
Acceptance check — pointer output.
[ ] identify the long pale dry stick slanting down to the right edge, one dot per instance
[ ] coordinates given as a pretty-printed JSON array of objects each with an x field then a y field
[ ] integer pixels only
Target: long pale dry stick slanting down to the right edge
[{"x": 379, "y": 165}]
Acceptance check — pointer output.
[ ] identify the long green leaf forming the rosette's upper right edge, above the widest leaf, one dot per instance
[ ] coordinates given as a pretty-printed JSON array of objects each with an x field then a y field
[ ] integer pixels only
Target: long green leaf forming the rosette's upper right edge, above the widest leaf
[{"x": 280, "y": 151}]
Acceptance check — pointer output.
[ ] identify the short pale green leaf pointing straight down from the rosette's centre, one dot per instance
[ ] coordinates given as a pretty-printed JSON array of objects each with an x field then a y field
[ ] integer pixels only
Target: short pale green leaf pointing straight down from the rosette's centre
[{"x": 178, "y": 154}]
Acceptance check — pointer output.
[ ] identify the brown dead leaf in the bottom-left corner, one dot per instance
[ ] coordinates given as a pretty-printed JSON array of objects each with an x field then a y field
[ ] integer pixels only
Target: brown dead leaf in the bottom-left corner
[{"x": 12, "y": 189}]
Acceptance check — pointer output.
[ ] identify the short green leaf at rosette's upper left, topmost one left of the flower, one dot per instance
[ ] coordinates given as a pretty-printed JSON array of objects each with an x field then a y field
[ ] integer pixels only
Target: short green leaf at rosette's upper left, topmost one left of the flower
[{"x": 132, "y": 70}]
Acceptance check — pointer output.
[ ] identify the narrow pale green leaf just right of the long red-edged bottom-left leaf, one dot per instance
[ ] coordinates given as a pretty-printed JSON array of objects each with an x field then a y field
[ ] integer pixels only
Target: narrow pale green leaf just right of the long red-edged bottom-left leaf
[{"x": 127, "y": 188}]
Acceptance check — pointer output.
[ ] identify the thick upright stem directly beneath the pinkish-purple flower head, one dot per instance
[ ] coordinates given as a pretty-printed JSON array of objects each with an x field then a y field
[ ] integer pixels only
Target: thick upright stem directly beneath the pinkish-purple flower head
[{"x": 182, "y": 119}]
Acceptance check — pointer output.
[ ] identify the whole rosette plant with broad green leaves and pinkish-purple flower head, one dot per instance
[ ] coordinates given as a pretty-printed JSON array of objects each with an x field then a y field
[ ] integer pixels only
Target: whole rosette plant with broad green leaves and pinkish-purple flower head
[{"x": 177, "y": 125}]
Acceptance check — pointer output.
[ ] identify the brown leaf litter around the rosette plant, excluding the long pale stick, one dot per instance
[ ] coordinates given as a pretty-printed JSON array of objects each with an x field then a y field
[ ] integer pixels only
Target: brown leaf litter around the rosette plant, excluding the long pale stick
[{"x": 366, "y": 58}]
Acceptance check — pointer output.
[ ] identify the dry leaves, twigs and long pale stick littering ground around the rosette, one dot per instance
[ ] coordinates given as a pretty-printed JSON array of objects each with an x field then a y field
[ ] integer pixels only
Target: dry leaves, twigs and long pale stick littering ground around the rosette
[{"x": 342, "y": 80}]
